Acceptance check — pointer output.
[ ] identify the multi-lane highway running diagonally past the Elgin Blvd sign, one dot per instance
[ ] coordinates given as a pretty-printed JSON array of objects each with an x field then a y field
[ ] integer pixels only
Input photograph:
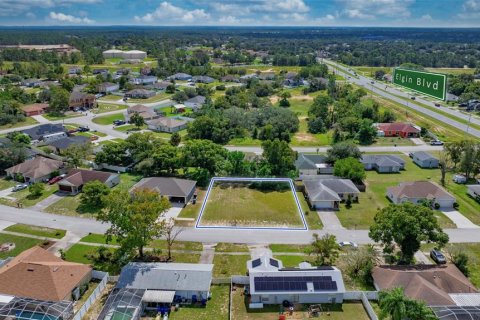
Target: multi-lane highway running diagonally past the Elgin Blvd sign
[{"x": 392, "y": 94}]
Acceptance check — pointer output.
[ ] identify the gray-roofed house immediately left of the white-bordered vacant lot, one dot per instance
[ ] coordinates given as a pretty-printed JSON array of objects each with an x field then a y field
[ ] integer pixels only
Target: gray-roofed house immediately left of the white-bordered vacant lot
[{"x": 175, "y": 189}]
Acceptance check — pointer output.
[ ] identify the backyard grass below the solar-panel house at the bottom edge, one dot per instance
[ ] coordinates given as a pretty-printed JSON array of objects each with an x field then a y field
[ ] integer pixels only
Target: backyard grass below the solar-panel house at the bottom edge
[{"x": 240, "y": 310}]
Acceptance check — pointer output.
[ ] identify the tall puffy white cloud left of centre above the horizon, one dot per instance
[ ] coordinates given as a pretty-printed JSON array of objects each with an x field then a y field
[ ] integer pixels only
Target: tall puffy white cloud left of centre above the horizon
[{"x": 167, "y": 13}]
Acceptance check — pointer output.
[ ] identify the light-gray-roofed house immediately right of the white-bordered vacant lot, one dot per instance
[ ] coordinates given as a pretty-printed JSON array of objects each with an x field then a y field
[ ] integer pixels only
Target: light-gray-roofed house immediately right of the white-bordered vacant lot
[{"x": 328, "y": 193}]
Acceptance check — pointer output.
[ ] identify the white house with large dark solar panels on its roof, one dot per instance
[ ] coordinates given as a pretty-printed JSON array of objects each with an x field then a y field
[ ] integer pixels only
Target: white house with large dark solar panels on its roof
[{"x": 271, "y": 283}]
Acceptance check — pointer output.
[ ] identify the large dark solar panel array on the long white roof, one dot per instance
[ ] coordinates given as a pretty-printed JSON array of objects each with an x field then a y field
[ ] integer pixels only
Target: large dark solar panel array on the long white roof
[{"x": 320, "y": 283}]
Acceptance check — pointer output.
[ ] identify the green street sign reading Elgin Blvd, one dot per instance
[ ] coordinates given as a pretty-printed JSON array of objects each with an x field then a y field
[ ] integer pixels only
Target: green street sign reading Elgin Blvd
[{"x": 427, "y": 83}]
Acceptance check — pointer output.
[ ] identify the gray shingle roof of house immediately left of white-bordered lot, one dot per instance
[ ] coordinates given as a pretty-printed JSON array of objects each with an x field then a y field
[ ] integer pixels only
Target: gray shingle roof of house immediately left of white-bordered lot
[{"x": 172, "y": 187}]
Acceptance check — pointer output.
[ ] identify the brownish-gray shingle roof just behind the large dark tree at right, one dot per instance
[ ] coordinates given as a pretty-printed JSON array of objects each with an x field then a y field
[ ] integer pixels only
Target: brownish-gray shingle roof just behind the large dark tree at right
[{"x": 420, "y": 189}]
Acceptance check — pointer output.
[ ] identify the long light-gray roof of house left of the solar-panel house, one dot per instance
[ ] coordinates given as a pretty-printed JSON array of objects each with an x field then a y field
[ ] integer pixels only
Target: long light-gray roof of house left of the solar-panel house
[{"x": 166, "y": 276}]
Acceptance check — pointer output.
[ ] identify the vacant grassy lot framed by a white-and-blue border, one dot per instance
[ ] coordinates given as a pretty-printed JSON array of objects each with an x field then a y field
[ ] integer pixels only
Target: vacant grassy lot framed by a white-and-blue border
[{"x": 237, "y": 204}]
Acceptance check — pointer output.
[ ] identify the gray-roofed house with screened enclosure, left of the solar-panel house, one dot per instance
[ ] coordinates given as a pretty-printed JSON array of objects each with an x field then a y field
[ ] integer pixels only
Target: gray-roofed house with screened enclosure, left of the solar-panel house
[{"x": 156, "y": 287}]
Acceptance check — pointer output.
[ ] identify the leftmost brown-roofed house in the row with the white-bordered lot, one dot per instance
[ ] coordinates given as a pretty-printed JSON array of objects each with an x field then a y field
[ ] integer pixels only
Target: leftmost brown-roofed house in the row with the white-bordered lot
[{"x": 36, "y": 170}]
